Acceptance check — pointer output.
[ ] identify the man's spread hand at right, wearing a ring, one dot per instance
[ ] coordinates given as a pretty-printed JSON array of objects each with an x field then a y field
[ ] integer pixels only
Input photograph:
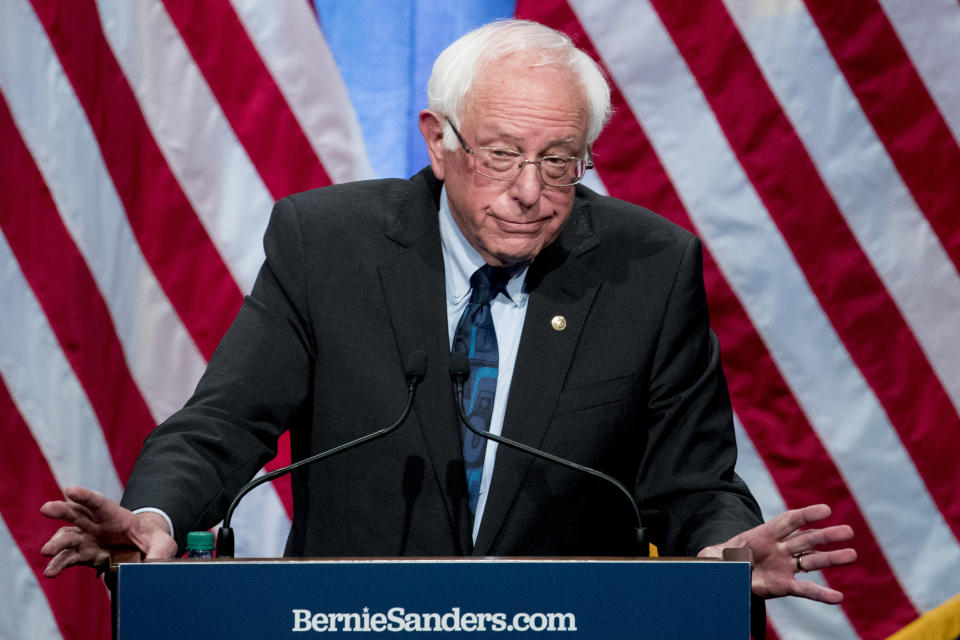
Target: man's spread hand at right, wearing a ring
[{"x": 782, "y": 548}]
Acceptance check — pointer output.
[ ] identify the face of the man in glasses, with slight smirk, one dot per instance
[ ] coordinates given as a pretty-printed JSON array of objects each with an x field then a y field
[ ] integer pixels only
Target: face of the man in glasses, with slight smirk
[{"x": 534, "y": 110}]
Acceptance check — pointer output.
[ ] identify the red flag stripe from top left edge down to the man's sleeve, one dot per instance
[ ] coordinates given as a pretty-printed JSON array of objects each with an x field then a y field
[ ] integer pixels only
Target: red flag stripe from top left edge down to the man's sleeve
[{"x": 172, "y": 239}]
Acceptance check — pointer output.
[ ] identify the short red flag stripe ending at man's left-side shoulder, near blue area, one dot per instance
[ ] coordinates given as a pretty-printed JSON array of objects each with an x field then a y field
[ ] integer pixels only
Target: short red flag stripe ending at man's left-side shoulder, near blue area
[{"x": 248, "y": 95}]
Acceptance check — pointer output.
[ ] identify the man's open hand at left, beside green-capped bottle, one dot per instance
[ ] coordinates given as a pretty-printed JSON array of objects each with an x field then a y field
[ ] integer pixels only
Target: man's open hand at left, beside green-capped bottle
[{"x": 95, "y": 525}]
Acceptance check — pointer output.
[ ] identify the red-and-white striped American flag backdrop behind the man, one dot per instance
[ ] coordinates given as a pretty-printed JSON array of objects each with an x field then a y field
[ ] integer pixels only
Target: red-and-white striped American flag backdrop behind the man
[{"x": 813, "y": 145}]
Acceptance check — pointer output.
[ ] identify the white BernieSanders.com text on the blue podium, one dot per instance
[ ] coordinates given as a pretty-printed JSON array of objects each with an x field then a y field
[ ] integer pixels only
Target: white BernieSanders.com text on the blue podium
[{"x": 399, "y": 620}]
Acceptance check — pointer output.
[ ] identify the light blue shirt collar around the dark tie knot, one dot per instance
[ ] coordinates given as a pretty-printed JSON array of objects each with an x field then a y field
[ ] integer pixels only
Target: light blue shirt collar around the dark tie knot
[{"x": 460, "y": 260}]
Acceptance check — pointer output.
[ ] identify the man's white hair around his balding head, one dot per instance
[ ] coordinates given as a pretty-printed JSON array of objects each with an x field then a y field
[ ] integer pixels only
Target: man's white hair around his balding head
[{"x": 458, "y": 65}]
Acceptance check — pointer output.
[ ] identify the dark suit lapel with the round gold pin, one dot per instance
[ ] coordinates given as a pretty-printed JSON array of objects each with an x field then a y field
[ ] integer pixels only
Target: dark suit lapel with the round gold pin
[{"x": 560, "y": 286}]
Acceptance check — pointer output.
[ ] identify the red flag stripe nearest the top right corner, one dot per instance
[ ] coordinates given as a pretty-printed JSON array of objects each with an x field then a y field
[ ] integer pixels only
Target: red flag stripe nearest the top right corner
[{"x": 896, "y": 101}]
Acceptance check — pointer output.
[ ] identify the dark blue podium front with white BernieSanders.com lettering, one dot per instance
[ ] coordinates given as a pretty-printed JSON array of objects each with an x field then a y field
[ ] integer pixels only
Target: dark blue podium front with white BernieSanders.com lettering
[{"x": 435, "y": 597}]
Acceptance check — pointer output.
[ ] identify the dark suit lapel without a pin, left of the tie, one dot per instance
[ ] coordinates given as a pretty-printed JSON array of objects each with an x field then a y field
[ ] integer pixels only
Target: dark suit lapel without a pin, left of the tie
[{"x": 414, "y": 291}]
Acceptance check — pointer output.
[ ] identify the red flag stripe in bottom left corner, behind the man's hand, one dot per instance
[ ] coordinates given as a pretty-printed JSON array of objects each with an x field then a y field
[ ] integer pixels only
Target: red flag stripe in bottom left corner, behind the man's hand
[{"x": 77, "y": 598}]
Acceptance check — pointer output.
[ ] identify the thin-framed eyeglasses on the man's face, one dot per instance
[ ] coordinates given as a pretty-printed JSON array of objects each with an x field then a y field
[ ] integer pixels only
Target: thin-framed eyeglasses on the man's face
[{"x": 506, "y": 164}]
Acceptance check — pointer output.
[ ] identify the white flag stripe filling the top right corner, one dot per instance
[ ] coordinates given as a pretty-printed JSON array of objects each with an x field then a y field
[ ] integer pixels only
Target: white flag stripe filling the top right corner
[{"x": 930, "y": 32}]
